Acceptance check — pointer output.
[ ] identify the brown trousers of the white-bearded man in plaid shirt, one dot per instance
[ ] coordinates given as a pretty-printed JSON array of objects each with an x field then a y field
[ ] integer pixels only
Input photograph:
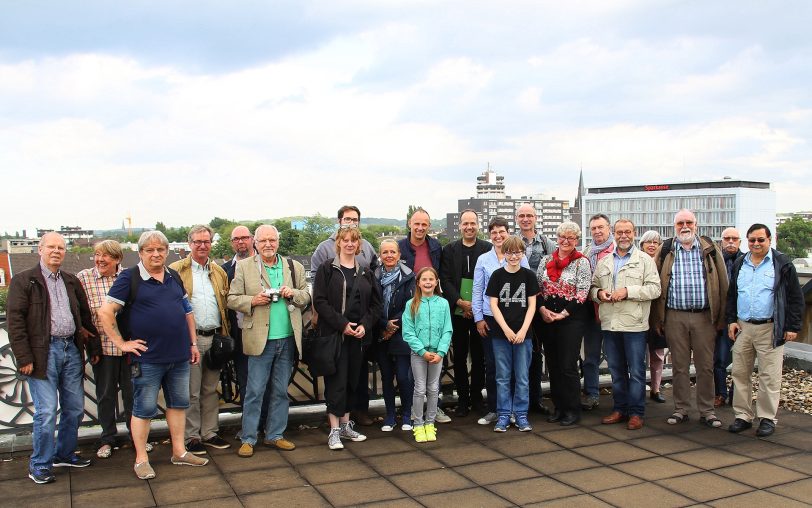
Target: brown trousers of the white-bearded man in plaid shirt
[{"x": 686, "y": 332}]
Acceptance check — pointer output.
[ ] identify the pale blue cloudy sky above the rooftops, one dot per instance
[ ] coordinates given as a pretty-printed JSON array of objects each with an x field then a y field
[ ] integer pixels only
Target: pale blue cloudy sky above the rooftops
[{"x": 181, "y": 111}]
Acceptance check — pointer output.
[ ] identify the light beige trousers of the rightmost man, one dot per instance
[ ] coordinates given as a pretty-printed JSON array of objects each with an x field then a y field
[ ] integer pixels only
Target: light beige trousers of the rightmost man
[{"x": 756, "y": 341}]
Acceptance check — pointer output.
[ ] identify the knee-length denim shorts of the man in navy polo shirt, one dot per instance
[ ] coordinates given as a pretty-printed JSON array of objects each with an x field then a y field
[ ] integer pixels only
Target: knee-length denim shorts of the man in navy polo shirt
[{"x": 172, "y": 377}]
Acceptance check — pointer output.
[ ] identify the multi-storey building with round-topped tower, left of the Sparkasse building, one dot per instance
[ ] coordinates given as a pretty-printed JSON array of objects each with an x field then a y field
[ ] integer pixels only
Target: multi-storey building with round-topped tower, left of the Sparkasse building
[{"x": 491, "y": 201}]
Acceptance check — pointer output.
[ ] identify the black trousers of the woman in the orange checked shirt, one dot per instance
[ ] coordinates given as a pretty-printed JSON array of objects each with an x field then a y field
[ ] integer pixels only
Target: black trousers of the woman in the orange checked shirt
[{"x": 112, "y": 374}]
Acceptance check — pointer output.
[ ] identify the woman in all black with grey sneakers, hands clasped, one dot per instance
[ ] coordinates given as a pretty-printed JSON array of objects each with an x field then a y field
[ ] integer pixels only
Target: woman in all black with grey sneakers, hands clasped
[{"x": 347, "y": 302}]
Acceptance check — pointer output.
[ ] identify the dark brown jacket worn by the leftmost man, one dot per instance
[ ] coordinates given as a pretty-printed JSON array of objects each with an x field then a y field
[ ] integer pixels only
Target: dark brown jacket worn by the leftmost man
[{"x": 29, "y": 319}]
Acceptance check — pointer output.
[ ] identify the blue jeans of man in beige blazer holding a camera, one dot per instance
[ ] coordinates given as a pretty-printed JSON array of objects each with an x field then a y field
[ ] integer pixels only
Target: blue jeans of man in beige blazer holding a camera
[{"x": 276, "y": 362}]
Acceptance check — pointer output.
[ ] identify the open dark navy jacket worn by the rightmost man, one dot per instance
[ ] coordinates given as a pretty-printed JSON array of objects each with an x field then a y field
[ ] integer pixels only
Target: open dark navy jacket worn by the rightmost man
[{"x": 788, "y": 300}]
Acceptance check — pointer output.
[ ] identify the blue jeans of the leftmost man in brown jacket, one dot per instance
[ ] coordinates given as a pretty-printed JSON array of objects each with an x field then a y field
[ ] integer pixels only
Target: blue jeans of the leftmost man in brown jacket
[{"x": 63, "y": 384}]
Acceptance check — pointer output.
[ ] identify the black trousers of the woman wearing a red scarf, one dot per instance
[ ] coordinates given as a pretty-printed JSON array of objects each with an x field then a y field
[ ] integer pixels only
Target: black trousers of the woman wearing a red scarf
[{"x": 562, "y": 345}]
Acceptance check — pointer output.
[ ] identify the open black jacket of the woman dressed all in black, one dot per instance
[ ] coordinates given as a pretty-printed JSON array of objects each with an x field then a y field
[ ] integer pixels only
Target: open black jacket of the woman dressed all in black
[{"x": 329, "y": 295}]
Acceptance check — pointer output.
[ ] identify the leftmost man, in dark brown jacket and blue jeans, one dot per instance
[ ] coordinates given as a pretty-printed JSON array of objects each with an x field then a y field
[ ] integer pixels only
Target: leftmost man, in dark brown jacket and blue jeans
[{"x": 49, "y": 325}]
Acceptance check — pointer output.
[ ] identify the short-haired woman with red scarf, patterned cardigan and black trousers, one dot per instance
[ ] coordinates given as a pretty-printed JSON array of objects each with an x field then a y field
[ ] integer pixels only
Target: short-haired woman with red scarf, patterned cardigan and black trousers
[{"x": 564, "y": 279}]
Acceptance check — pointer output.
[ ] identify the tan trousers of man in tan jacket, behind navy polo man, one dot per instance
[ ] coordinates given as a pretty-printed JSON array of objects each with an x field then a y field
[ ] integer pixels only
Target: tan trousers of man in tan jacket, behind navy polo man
[{"x": 204, "y": 403}]
